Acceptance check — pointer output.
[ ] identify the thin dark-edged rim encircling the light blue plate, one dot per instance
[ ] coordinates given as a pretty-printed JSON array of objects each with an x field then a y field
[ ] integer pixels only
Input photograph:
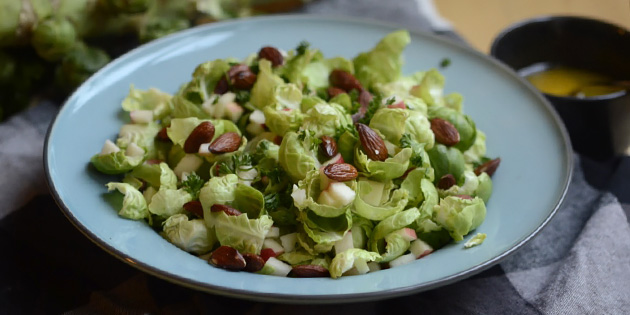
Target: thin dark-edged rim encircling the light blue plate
[{"x": 323, "y": 298}]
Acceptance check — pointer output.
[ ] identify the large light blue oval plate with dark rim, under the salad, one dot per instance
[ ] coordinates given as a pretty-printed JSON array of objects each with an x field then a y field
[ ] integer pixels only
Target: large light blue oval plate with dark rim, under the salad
[{"x": 521, "y": 128}]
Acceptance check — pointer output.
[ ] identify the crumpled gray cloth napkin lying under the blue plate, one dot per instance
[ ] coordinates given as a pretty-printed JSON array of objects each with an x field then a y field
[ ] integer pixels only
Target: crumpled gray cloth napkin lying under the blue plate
[{"x": 579, "y": 264}]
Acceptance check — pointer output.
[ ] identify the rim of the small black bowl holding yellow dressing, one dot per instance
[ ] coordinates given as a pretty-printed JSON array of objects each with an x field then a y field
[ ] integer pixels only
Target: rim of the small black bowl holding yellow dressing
[{"x": 550, "y": 18}]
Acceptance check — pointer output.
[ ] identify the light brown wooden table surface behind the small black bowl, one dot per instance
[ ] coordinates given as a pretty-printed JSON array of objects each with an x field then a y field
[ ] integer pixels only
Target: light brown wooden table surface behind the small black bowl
[{"x": 479, "y": 21}]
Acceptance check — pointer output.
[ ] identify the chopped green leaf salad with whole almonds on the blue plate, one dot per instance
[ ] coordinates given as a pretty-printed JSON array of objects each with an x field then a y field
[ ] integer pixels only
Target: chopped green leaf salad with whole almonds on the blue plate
[{"x": 294, "y": 164}]
